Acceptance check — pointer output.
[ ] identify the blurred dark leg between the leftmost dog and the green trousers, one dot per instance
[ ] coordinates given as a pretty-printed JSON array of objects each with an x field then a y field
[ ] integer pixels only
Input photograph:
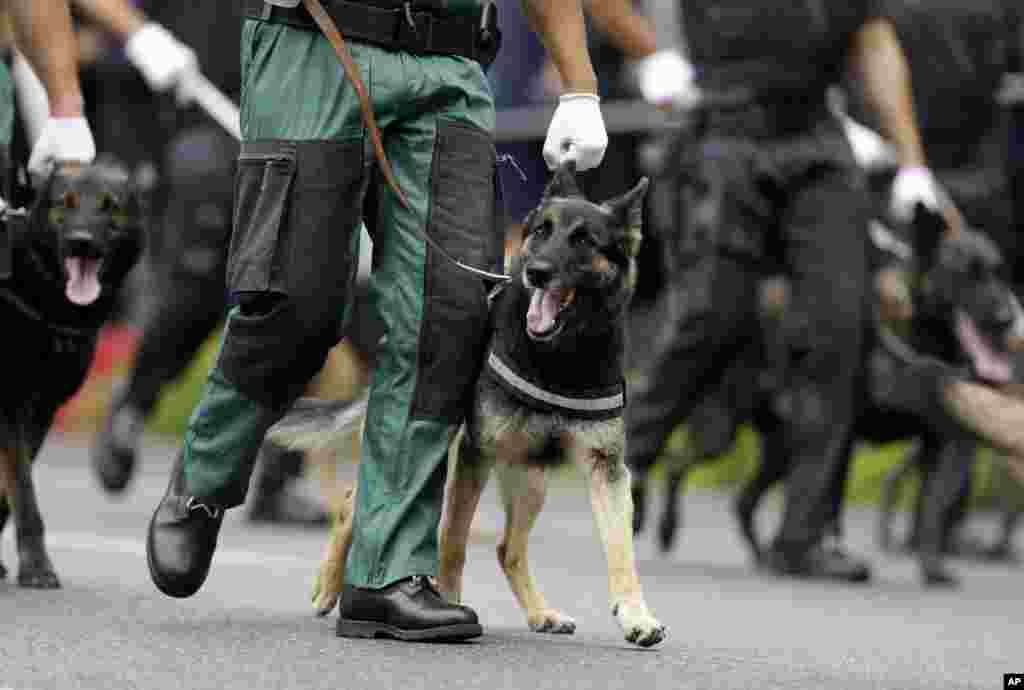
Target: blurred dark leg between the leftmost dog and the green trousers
[{"x": 190, "y": 297}]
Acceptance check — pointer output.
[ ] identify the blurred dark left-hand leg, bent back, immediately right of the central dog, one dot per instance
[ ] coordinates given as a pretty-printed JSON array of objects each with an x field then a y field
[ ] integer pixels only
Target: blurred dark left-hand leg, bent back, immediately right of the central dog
[{"x": 717, "y": 288}]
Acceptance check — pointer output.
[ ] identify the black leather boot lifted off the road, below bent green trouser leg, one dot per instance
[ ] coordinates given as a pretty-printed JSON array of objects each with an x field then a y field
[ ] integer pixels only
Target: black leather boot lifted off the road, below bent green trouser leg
[{"x": 183, "y": 538}]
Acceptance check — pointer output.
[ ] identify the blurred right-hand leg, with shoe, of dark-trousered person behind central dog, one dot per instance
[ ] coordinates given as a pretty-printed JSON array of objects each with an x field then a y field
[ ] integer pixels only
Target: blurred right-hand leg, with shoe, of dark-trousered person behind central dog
[{"x": 827, "y": 258}]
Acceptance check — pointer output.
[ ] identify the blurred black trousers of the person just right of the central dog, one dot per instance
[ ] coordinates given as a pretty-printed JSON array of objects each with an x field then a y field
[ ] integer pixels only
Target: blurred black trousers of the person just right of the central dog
[{"x": 800, "y": 199}]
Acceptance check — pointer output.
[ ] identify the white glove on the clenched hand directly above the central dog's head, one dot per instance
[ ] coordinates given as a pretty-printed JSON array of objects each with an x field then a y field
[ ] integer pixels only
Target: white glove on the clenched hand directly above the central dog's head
[{"x": 577, "y": 133}]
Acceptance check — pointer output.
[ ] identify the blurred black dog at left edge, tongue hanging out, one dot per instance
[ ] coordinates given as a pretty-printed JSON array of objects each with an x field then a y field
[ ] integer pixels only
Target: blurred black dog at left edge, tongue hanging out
[{"x": 63, "y": 266}]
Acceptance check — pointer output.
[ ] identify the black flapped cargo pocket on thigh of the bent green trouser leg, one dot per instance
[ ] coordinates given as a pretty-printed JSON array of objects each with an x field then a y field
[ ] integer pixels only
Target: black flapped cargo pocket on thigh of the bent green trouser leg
[{"x": 263, "y": 191}]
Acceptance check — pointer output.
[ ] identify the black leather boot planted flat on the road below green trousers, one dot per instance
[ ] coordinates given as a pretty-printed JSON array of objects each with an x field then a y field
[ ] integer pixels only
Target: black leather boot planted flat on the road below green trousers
[{"x": 410, "y": 610}]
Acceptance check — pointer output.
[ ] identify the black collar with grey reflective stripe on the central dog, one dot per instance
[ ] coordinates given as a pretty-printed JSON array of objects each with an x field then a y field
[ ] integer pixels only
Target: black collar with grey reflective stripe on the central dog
[{"x": 604, "y": 404}]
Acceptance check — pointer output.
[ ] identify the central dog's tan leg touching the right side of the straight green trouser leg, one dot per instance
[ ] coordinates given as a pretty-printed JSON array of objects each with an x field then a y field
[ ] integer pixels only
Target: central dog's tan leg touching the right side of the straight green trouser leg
[{"x": 466, "y": 483}]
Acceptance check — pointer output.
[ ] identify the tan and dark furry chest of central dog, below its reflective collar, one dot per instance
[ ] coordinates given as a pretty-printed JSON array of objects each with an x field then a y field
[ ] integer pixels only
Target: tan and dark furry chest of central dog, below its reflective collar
[{"x": 501, "y": 423}]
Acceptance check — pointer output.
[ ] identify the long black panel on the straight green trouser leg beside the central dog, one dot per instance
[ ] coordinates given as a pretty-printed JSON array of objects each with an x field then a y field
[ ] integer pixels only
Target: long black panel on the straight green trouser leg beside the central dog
[{"x": 455, "y": 319}]
